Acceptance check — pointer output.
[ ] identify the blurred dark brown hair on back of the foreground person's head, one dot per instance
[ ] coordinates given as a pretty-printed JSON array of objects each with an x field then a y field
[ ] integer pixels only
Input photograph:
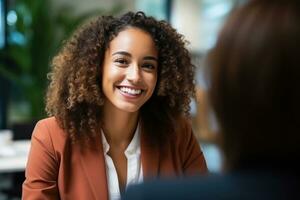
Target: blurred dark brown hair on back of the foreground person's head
[{"x": 255, "y": 79}]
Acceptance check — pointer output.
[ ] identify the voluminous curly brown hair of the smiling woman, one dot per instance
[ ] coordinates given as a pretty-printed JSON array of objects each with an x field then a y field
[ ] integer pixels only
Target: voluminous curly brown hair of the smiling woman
[{"x": 75, "y": 96}]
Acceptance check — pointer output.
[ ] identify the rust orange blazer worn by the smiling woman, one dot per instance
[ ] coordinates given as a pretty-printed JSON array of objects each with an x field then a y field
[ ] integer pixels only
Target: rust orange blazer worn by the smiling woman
[{"x": 59, "y": 169}]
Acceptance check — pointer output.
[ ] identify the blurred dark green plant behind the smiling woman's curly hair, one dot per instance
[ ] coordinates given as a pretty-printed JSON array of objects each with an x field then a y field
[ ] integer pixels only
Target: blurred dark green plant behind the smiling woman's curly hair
[{"x": 42, "y": 30}]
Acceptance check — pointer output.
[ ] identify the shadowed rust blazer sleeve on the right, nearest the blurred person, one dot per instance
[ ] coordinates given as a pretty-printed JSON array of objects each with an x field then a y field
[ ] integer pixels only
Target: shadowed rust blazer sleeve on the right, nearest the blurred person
[{"x": 193, "y": 161}]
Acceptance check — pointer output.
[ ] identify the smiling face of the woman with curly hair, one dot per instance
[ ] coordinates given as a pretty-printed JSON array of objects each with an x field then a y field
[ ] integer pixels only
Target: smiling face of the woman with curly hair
[{"x": 129, "y": 70}]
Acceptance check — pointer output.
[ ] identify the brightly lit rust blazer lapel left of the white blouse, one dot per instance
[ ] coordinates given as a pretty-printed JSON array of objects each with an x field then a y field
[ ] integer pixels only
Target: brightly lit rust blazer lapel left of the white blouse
[{"x": 93, "y": 164}]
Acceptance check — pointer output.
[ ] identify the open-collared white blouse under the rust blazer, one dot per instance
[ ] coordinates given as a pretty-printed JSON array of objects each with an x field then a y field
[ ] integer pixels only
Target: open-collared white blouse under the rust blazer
[{"x": 134, "y": 167}]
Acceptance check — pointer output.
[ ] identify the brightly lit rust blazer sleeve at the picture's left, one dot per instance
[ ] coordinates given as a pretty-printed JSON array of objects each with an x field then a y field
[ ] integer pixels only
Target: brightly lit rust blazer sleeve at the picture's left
[{"x": 42, "y": 166}]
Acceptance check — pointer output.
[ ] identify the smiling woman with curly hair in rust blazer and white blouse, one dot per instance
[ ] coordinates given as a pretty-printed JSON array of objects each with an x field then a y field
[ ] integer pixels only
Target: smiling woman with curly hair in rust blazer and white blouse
[{"x": 118, "y": 103}]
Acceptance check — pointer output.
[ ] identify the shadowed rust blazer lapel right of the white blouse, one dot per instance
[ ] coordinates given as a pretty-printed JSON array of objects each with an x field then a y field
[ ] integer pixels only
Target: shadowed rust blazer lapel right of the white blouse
[{"x": 149, "y": 157}]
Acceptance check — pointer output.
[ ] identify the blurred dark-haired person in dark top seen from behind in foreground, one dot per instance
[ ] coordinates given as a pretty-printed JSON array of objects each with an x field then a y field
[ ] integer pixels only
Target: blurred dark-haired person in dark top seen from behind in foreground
[{"x": 254, "y": 74}]
